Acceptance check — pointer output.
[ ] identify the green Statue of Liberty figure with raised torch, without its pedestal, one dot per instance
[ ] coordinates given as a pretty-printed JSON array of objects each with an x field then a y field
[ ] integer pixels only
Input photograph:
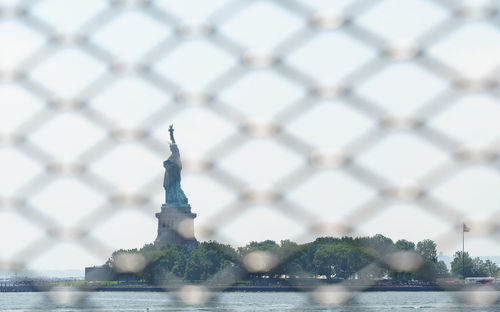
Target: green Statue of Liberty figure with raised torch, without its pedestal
[{"x": 174, "y": 196}]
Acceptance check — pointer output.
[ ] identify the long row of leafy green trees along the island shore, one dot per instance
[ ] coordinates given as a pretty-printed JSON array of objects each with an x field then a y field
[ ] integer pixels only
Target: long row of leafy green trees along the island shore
[{"x": 330, "y": 258}]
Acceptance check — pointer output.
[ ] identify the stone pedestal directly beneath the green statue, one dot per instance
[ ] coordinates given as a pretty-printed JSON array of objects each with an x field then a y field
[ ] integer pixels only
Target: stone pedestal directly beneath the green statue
[{"x": 175, "y": 225}]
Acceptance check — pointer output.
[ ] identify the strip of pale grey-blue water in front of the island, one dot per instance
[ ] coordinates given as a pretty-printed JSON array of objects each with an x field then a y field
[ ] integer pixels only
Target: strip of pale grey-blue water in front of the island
[{"x": 243, "y": 301}]
